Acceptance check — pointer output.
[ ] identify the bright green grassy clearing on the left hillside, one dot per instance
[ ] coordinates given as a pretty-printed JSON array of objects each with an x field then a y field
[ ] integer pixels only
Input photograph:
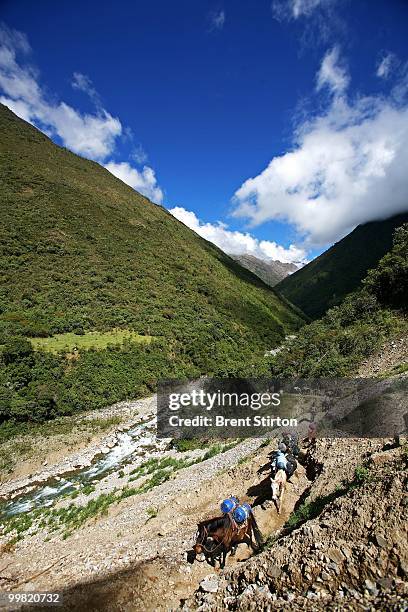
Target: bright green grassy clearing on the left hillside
[{"x": 98, "y": 340}]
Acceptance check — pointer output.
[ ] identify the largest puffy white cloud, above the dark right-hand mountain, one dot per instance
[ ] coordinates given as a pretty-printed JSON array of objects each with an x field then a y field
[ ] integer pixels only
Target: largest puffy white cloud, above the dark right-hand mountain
[{"x": 347, "y": 166}]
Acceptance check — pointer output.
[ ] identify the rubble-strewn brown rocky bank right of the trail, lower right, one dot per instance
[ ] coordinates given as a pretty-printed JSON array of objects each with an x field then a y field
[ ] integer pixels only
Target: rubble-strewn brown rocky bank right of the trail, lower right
[{"x": 352, "y": 554}]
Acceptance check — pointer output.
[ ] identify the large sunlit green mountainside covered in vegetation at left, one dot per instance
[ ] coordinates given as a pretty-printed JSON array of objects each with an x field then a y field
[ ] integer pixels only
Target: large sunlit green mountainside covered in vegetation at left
[{"x": 81, "y": 251}]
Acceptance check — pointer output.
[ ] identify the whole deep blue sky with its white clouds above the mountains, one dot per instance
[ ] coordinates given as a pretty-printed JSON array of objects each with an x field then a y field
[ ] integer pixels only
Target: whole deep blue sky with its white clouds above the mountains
[{"x": 259, "y": 124}]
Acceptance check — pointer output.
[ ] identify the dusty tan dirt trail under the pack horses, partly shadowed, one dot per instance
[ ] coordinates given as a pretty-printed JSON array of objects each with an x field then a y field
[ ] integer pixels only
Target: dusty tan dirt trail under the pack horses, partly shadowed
[{"x": 142, "y": 586}]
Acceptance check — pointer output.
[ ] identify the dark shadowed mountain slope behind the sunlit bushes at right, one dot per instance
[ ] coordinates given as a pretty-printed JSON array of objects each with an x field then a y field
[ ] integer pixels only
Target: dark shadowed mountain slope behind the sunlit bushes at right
[{"x": 325, "y": 281}]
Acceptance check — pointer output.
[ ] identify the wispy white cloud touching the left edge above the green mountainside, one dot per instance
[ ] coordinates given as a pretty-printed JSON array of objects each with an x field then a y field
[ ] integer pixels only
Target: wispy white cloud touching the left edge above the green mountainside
[{"x": 91, "y": 135}]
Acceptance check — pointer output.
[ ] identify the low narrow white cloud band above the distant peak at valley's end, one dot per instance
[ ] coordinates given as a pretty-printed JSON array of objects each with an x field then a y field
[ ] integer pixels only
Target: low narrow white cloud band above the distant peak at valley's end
[{"x": 237, "y": 243}]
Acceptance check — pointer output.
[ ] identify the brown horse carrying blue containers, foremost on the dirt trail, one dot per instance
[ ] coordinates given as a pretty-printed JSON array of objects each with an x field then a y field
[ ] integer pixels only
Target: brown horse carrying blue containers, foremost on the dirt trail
[{"x": 219, "y": 536}]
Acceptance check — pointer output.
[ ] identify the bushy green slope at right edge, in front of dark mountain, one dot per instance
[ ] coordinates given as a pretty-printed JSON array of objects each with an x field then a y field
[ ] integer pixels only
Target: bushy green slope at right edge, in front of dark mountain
[{"x": 337, "y": 343}]
